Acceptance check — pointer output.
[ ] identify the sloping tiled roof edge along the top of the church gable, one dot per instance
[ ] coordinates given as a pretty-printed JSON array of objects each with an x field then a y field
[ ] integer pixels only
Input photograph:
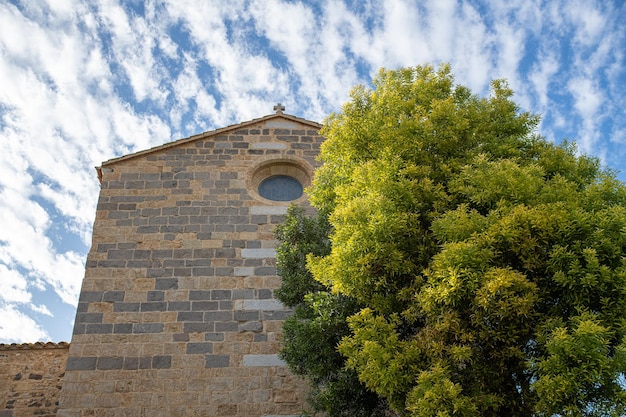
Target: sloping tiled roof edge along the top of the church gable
[{"x": 278, "y": 115}]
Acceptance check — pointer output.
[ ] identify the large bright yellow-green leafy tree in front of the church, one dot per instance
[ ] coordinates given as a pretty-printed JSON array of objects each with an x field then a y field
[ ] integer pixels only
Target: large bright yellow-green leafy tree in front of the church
[{"x": 484, "y": 267}]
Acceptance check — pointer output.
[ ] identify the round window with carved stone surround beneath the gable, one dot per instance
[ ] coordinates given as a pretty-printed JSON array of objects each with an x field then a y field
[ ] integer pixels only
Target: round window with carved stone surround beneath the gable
[{"x": 280, "y": 180}]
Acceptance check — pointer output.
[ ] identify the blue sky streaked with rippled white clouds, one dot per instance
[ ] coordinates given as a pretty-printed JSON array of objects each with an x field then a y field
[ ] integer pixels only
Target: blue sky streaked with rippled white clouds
[{"x": 86, "y": 81}]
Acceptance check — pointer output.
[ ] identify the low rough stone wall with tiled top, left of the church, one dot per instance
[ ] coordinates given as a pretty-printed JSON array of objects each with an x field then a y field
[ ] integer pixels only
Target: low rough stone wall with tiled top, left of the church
[{"x": 30, "y": 378}]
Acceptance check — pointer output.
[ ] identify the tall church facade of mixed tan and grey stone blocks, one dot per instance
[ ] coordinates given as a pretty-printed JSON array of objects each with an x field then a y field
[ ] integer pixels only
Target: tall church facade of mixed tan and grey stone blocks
[{"x": 177, "y": 315}]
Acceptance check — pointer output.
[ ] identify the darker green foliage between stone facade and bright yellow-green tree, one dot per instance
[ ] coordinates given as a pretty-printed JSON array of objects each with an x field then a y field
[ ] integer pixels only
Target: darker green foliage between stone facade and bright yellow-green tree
[{"x": 319, "y": 322}]
